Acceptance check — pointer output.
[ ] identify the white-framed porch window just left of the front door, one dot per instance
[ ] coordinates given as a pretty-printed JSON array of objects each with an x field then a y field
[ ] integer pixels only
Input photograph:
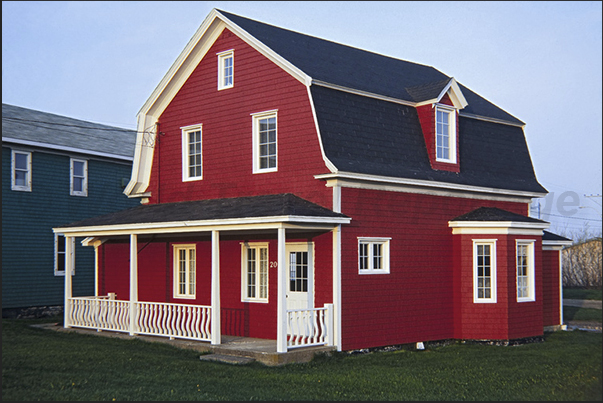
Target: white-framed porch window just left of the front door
[{"x": 254, "y": 264}]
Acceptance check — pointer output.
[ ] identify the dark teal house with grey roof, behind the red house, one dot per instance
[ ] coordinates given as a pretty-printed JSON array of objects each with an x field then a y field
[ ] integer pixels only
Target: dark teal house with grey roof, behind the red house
[{"x": 55, "y": 170}]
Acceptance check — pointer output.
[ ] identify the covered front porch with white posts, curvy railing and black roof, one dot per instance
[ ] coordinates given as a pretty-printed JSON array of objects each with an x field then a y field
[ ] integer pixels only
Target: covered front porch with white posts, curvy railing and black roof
[{"x": 214, "y": 223}]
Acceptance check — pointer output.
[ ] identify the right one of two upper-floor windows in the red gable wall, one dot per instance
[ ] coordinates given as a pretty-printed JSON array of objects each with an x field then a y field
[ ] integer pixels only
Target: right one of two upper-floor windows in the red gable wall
[{"x": 264, "y": 142}]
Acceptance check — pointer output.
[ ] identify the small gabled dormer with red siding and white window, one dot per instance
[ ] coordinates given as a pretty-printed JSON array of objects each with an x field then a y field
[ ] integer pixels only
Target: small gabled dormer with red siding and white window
[{"x": 438, "y": 106}]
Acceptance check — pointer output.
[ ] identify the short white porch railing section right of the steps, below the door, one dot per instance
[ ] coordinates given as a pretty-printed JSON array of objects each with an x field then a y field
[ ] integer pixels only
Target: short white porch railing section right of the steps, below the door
[{"x": 310, "y": 327}]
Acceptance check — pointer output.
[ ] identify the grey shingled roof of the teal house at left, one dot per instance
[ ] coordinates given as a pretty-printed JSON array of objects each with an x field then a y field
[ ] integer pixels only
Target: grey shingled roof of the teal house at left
[{"x": 42, "y": 129}]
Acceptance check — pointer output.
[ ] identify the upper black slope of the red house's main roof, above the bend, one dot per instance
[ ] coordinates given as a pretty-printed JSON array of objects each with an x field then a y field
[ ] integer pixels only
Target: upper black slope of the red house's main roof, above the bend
[{"x": 359, "y": 69}]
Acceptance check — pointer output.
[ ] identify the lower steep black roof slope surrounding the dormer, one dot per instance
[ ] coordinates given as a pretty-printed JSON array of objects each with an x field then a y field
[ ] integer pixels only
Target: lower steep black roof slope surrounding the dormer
[{"x": 370, "y": 136}]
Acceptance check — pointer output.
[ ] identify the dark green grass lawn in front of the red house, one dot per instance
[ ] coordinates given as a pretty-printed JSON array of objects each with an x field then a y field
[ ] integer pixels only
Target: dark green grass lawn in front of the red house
[{"x": 45, "y": 365}]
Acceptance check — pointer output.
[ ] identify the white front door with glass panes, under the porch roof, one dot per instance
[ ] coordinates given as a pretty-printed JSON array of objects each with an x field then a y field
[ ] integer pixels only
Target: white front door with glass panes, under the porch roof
[{"x": 300, "y": 275}]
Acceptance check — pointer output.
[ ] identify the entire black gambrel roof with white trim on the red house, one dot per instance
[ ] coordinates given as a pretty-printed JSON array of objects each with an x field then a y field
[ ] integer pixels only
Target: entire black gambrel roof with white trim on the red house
[{"x": 365, "y": 110}]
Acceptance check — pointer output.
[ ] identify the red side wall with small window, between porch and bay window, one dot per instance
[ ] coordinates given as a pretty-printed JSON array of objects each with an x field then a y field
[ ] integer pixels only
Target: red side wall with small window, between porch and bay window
[{"x": 416, "y": 301}]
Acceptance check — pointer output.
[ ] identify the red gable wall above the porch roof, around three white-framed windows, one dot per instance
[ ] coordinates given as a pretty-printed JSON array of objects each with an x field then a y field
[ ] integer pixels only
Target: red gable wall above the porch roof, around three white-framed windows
[{"x": 259, "y": 85}]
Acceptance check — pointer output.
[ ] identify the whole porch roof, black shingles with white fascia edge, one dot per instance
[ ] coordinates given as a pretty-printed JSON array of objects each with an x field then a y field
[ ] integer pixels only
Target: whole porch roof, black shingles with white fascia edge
[{"x": 267, "y": 211}]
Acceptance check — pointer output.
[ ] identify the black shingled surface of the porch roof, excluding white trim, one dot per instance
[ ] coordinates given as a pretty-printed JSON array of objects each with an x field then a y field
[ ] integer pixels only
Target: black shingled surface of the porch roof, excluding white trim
[{"x": 285, "y": 204}]
